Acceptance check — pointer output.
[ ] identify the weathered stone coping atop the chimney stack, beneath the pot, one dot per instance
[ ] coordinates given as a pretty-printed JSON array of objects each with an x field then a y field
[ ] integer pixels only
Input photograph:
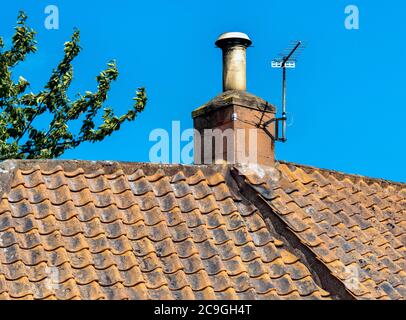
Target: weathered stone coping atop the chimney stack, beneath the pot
[{"x": 235, "y": 97}]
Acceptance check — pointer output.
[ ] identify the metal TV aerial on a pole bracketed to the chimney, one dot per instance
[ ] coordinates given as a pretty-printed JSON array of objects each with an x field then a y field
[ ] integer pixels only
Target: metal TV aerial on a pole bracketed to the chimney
[{"x": 286, "y": 60}]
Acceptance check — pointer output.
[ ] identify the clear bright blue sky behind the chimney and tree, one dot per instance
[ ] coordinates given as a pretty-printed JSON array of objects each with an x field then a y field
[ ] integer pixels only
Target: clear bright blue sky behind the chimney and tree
[{"x": 346, "y": 97}]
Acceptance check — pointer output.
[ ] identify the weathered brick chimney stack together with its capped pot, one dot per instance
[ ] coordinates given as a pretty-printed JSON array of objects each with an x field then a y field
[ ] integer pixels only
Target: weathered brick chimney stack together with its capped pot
[{"x": 226, "y": 128}]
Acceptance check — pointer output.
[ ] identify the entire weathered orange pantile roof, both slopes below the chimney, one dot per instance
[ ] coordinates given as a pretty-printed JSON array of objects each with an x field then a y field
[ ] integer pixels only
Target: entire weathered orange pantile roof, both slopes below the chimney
[{"x": 109, "y": 230}]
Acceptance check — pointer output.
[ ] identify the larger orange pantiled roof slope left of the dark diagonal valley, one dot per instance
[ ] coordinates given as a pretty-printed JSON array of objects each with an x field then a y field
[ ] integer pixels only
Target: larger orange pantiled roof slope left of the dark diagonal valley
[{"x": 84, "y": 233}]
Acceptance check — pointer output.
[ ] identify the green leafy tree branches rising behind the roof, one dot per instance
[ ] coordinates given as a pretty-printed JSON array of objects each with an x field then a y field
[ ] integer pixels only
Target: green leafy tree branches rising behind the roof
[{"x": 20, "y": 110}]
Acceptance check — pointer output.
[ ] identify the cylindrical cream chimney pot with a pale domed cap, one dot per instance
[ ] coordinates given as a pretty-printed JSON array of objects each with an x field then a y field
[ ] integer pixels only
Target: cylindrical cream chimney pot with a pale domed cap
[{"x": 234, "y": 46}]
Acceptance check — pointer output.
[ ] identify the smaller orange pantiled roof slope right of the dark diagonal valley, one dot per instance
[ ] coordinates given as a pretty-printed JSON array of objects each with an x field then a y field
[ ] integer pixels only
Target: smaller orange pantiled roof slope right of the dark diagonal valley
[{"x": 354, "y": 225}]
